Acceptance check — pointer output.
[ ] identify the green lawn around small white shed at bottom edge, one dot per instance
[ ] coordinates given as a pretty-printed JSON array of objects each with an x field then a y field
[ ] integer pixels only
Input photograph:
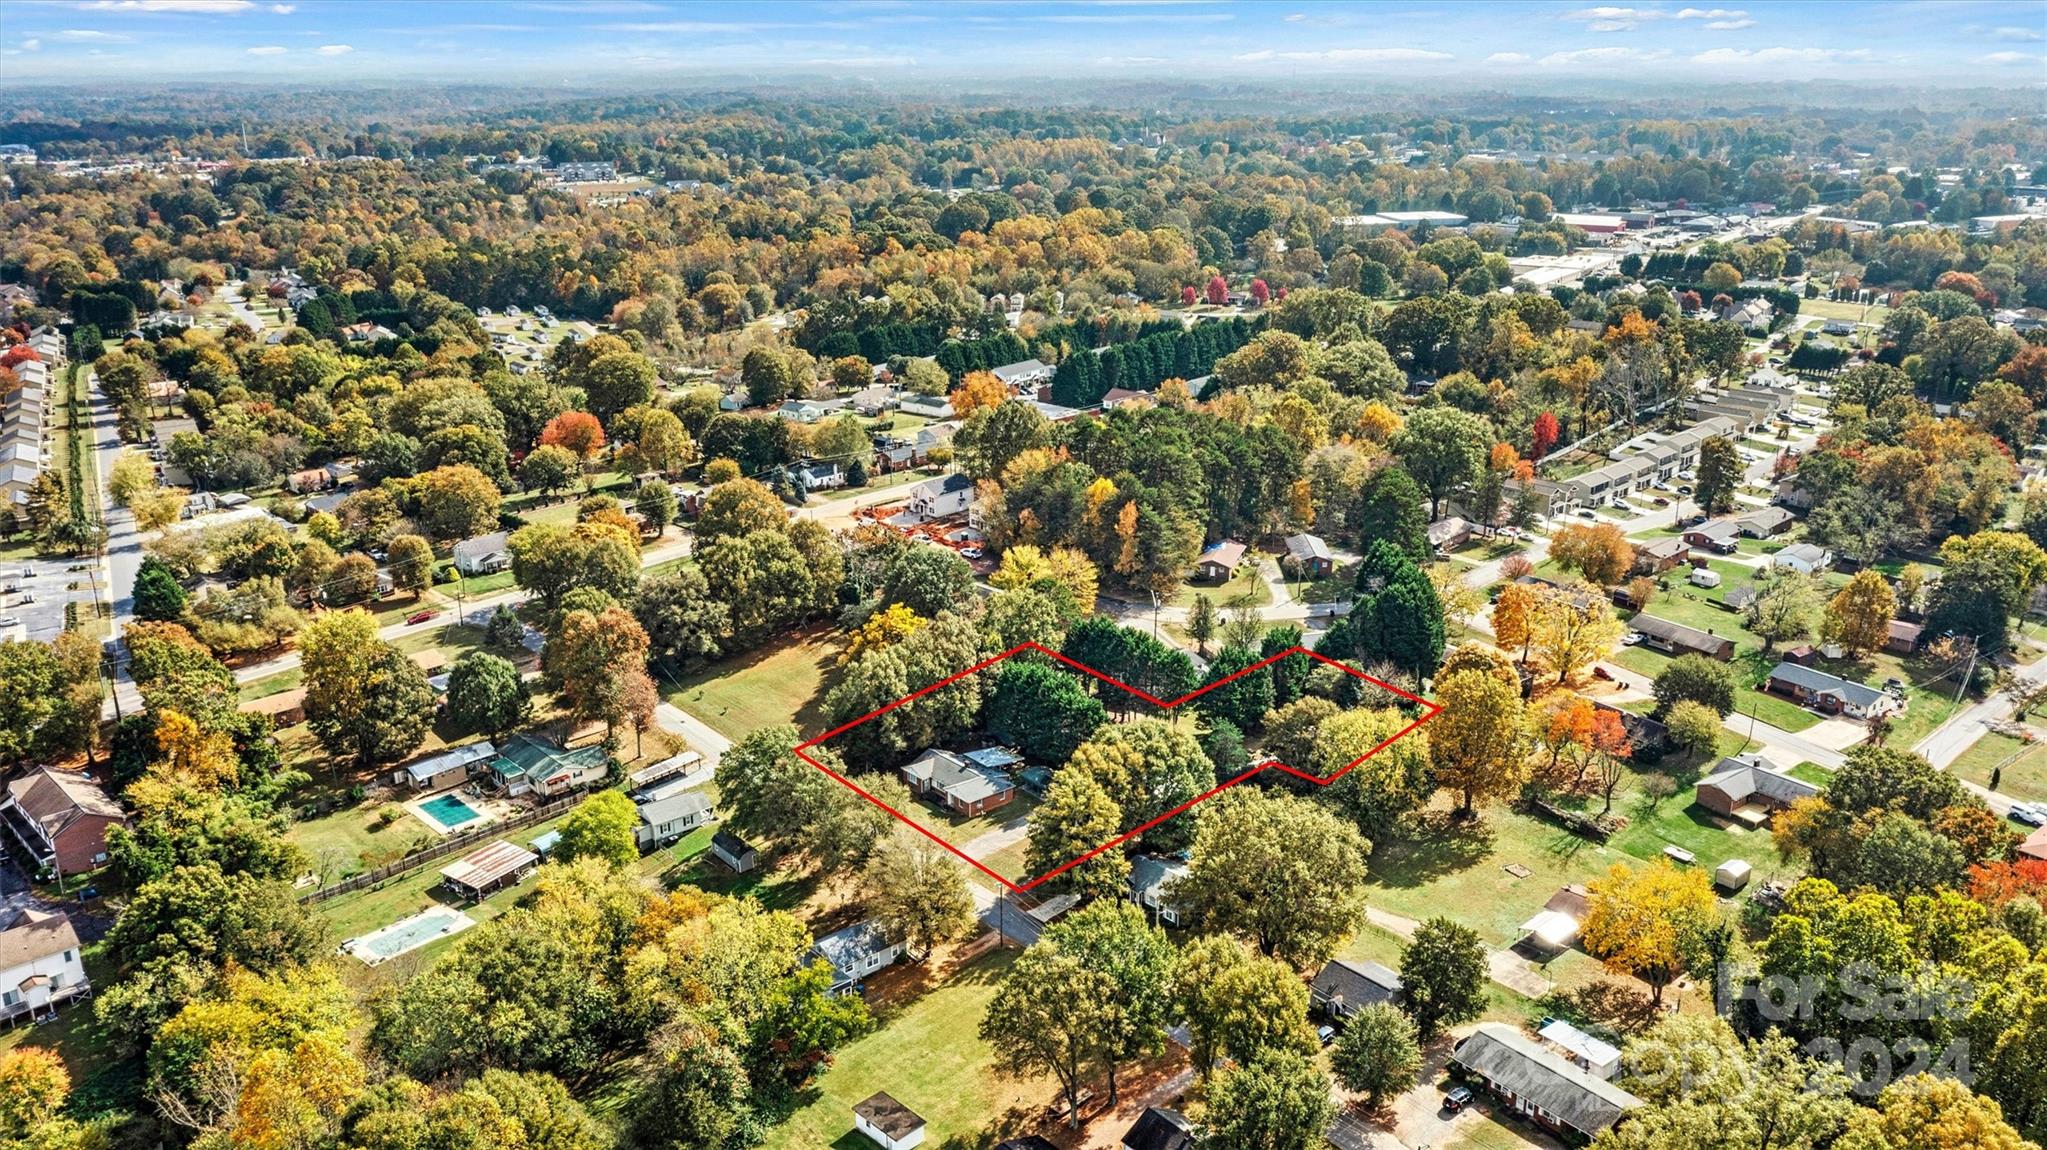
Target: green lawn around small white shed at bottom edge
[{"x": 930, "y": 1057}]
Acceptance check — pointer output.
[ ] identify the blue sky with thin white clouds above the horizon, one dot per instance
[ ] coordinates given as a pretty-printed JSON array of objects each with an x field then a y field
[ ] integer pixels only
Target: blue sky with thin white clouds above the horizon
[{"x": 881, "y": 42}]
